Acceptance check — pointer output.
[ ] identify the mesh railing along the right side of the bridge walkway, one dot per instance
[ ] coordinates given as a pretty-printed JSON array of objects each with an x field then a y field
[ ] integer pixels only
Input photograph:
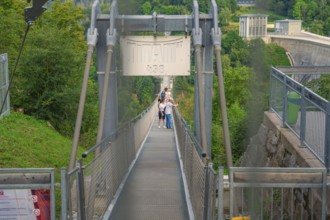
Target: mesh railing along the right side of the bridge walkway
[{"x": 200, "y": 177}]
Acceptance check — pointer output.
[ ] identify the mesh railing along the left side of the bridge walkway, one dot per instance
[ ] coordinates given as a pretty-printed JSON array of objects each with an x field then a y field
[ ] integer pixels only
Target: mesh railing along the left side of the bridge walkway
[{"x": 92, "y": 184}]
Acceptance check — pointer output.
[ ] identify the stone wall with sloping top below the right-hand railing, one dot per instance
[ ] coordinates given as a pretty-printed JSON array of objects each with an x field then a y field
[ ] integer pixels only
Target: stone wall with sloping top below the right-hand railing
[{"x": 276, "y": 146}]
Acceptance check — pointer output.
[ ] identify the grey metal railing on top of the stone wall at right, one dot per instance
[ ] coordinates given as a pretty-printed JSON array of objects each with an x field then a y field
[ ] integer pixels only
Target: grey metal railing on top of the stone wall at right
[{"x": 303, "y": 111}]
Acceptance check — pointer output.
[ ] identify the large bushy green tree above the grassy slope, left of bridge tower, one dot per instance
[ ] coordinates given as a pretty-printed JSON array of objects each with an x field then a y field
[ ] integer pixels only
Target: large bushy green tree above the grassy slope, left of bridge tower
[{"x": 50, "y": 72}]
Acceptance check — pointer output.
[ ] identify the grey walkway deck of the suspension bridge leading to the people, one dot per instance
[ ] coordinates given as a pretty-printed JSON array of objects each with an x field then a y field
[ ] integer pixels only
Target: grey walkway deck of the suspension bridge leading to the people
[{"x": 154, "y": 188}]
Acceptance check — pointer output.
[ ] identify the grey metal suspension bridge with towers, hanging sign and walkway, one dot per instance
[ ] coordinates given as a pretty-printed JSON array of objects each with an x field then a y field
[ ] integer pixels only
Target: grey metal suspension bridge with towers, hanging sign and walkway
[{"x": 155, "y": 187}]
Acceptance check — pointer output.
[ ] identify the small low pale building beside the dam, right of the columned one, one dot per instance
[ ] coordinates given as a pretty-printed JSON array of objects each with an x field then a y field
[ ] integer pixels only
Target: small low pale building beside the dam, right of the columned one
[{"x": 288, "y": 27}]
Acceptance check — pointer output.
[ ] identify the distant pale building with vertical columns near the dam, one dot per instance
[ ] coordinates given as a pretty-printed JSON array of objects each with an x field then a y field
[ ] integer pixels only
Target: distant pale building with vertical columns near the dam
[{"x": 253, "y": 25}]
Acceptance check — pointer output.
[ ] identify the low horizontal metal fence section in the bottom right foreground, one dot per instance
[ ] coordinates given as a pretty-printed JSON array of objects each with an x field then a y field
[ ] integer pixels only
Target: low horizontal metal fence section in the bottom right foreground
[{"x": 278, "y": 193}]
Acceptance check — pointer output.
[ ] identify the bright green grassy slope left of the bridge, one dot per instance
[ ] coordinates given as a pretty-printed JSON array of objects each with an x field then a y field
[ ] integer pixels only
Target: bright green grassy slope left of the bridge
[{"x": 29, "y": 143}]
